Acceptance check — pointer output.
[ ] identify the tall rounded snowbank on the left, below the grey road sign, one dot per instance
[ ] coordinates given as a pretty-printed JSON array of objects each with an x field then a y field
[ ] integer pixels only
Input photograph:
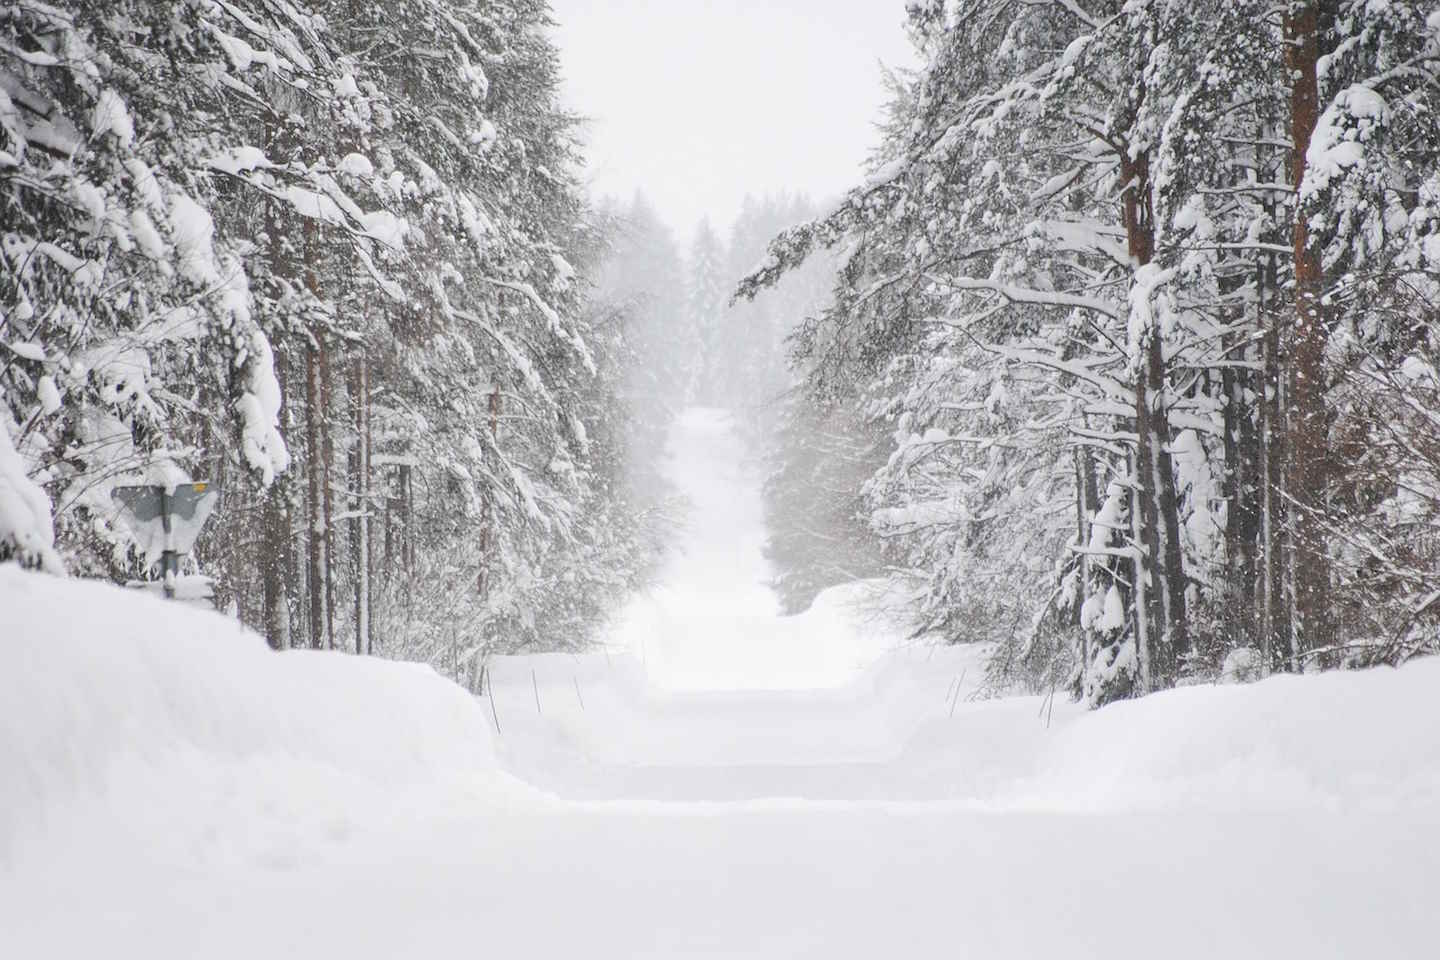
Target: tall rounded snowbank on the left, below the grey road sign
[{"x": 127, "y": 715}]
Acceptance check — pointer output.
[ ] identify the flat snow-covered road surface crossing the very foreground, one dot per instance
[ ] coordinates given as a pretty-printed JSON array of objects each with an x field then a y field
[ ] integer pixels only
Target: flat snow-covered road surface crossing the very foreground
[{"x": 768, "y": 882}]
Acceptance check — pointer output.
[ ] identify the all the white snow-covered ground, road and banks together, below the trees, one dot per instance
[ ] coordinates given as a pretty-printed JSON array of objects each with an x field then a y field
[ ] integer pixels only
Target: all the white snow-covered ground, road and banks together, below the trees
[{"x": 172, "y": 789}]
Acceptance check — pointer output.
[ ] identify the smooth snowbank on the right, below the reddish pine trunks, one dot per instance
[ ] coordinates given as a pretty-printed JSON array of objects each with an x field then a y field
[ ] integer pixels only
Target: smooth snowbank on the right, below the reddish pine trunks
[{"x": 1338, "y": 742}]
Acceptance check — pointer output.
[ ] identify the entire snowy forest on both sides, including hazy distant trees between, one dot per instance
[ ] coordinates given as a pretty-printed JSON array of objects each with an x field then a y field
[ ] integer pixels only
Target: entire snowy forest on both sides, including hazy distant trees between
[{"x": 1121, "y": 355}]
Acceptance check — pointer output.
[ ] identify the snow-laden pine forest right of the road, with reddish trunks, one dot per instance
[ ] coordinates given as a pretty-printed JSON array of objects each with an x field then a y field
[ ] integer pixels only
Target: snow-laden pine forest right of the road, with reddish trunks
[{"x": 1146, "y": 299}]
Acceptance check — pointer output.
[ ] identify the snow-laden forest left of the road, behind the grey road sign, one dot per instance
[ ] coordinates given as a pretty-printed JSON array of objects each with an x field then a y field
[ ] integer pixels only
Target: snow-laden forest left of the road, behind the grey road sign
[{"x": 332, "y": 260}]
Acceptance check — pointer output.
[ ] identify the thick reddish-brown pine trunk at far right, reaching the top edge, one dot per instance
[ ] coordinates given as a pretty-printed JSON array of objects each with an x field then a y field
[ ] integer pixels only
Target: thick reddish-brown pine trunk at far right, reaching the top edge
[{"x": 1310, "y": 431}]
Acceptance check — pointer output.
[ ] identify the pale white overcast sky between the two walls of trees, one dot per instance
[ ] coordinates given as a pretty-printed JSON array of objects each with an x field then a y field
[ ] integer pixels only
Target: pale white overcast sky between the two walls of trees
[{"x": 699, "y": 103}]
